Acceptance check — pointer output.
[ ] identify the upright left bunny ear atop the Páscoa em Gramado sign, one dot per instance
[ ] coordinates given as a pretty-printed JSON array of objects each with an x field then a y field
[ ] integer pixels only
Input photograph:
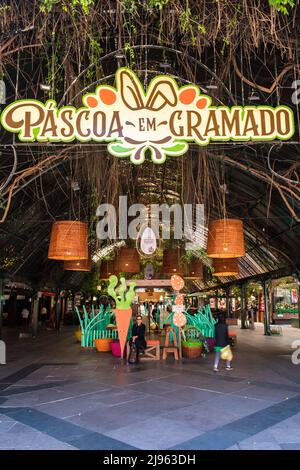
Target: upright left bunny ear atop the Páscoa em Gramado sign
[{"x": 130, "y": 91}]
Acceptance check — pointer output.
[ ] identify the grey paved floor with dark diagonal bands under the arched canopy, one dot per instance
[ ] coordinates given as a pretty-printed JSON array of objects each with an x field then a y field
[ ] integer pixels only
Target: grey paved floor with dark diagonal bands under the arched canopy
[{"x": 52, "y": 396}]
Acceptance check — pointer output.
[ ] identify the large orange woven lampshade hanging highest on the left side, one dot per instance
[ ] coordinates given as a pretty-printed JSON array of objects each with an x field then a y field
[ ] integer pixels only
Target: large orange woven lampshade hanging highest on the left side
[{"x": 68, "y": 241}]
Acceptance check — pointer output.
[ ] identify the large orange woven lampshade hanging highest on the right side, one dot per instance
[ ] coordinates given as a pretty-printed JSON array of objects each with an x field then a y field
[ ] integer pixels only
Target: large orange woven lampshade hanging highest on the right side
[{"x": 225, "y": 239}]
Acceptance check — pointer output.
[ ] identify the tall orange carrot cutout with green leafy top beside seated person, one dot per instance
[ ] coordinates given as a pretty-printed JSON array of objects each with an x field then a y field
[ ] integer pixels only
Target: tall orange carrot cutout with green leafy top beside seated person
[{"x": 123, "y": 311}]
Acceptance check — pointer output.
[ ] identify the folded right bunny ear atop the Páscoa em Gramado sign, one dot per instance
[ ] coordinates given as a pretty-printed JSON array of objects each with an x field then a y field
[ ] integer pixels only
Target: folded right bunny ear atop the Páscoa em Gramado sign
[{"x": 162, "y": 92}]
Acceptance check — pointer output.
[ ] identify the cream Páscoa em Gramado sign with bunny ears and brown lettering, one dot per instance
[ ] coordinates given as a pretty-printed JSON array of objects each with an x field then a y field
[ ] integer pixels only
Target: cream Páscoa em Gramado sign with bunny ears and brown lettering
[{"x": 160, "y": 121}]
